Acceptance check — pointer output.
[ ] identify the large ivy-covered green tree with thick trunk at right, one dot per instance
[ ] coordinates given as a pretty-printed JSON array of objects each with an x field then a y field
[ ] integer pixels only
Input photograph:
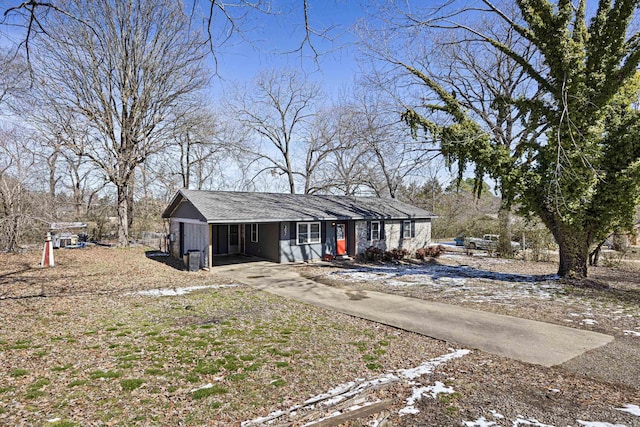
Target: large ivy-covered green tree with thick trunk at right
[{"x": 581, "y": 175}]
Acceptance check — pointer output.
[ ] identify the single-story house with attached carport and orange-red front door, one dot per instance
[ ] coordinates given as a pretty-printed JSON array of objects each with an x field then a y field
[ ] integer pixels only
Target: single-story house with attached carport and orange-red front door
[{"x": 290, "y": 227}]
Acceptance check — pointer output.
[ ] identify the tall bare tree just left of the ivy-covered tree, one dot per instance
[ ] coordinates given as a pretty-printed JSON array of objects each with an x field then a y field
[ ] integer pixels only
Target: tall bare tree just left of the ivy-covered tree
[{"x": 485, "y": 83}]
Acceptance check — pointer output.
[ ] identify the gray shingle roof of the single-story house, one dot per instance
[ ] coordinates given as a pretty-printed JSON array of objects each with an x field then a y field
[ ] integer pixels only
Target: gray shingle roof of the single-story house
[{"x": 239, "y": 207}]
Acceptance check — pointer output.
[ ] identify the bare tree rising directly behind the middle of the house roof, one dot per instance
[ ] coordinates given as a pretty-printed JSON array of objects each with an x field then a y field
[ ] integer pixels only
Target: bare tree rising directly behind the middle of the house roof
[{"x": 277, "y": 112}]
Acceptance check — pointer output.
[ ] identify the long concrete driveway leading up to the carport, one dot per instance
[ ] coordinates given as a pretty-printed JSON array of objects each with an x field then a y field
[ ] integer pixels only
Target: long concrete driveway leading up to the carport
[{"x": 525, "y": 340}]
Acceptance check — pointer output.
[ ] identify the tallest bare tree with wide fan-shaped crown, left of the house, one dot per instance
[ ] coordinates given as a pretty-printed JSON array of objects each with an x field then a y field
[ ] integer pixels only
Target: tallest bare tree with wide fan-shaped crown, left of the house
[{"x": 123, "y": 67}]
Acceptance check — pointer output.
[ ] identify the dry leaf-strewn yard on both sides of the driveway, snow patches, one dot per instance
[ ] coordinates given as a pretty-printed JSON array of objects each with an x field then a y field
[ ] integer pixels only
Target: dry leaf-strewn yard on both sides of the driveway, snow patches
[{"x": 80, "y": 345}]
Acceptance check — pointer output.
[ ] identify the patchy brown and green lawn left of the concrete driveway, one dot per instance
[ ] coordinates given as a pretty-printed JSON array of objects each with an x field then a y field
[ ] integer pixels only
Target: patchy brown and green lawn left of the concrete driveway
[{"x": 79, "y": 346}]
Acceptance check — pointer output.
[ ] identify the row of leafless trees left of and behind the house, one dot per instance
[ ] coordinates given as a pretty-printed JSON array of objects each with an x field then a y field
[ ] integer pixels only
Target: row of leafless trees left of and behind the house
[{"x": 110, "y": 114}]
